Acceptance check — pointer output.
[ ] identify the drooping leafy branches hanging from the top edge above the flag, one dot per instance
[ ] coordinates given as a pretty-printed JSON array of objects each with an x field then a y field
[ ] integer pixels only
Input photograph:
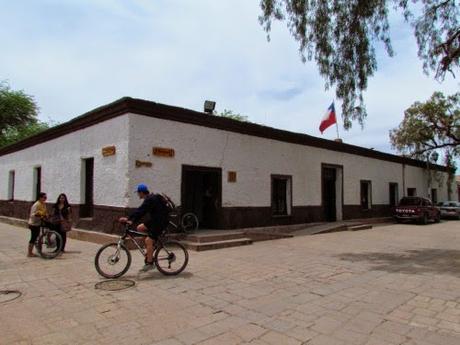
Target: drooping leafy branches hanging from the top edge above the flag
[{"x": 340, "y": 36}]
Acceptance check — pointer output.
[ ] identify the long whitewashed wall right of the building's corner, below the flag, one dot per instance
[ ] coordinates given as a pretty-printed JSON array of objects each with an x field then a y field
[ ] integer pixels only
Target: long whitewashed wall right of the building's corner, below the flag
[{"x": 254, "y": 159}]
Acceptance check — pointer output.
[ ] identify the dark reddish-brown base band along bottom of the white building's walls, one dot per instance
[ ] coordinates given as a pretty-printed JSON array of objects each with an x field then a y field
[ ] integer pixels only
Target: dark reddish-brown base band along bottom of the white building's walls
[{"x": 104, "y": 218}]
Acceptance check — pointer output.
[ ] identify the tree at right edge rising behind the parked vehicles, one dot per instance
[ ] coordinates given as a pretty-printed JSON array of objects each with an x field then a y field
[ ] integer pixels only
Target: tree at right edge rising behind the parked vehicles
[{"x": 429, "y": 128}]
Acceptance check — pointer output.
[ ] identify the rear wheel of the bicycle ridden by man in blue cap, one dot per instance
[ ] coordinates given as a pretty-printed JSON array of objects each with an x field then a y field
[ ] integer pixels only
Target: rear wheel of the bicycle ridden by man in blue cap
[{"x": 171, "y": 258}]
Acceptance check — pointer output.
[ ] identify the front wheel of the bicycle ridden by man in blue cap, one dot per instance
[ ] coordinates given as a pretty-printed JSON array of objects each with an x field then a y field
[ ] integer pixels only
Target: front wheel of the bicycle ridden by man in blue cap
[{"x": 112, "y": 261}]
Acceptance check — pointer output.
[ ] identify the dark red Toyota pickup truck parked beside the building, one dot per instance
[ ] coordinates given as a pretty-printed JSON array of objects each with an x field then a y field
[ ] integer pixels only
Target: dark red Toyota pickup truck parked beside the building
[{"x": 414, "y": 208}]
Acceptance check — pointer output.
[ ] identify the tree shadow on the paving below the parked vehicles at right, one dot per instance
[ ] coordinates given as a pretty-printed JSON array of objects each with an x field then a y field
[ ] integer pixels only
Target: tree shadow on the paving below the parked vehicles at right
[{"x": 437, "y": 261}]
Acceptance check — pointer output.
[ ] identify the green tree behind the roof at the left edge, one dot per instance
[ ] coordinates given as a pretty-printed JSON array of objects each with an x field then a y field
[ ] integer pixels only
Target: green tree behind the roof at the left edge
[{"x": 18, "y": 116}]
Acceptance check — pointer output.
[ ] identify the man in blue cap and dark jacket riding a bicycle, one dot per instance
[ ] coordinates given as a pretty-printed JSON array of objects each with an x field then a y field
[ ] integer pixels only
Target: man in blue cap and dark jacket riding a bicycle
[{"x": 157, "y": 211}]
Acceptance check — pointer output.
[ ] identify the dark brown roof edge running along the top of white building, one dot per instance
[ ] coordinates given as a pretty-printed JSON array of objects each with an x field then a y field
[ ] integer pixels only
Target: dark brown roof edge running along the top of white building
[{"x": 148, "y": 108}]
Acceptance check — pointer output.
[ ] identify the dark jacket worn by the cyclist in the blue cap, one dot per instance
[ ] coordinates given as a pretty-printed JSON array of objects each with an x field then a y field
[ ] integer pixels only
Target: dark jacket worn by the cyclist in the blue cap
[{"x": 157, "y": 211}]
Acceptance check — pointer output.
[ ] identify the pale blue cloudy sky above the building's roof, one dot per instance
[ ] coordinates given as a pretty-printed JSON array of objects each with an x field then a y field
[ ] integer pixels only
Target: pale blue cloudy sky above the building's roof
[{"x": 76, "y": 55}]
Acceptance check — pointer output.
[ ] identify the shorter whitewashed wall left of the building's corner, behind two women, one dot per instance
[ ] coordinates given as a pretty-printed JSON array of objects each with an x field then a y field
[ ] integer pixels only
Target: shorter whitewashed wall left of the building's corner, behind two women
[{"x": 61, "y": 165}]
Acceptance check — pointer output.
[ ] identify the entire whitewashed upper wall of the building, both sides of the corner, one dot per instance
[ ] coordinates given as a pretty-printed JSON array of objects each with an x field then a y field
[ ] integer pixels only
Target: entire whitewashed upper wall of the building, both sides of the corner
[{"x": 254, "y": 159}]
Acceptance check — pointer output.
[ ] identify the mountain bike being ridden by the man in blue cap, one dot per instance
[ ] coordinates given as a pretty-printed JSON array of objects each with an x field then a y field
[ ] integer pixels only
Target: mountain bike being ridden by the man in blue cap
[{"x": 114, "y": 259}]
